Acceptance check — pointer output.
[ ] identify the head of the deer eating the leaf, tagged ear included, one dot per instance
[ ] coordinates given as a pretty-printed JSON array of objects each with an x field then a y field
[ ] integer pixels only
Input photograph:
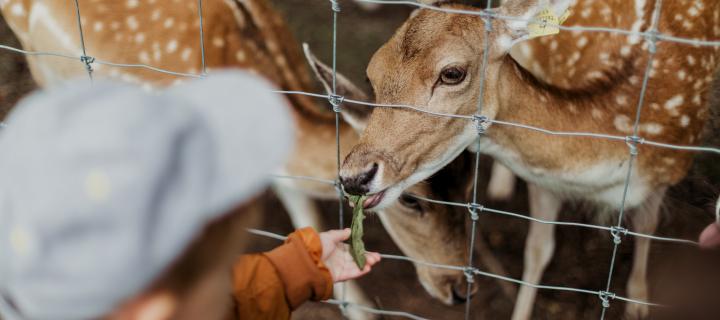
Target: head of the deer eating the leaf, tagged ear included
[{"x": 433, "y": 62}]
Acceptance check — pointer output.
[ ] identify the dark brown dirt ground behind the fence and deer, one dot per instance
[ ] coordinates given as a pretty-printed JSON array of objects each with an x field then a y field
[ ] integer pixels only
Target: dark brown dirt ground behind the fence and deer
[{"x": 679, "y": 274}]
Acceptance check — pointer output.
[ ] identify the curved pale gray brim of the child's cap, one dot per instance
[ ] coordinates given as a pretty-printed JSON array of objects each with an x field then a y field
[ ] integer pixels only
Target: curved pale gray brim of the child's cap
[{"x": 252, "y": 128}]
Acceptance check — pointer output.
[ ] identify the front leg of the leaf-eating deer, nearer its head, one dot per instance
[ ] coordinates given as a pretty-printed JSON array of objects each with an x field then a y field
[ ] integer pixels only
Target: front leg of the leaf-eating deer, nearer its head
[{"x": 539, "y": 247}]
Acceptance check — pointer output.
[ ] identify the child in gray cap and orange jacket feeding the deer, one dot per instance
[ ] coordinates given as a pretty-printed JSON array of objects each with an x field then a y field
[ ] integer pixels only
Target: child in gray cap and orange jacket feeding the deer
[{"x": 119, "y": 204}]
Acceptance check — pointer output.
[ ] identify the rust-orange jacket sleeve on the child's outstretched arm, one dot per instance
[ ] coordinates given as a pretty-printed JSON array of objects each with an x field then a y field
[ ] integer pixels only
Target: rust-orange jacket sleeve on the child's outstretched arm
[{"x": 270, "y": 285}]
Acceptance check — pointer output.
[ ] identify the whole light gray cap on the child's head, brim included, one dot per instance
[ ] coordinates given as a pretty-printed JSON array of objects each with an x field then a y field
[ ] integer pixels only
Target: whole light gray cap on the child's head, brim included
[{"x": 102, "y": 187}]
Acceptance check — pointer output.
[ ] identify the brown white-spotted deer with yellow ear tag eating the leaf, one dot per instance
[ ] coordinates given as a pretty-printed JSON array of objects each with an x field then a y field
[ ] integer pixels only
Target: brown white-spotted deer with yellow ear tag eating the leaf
[{"x": 434, "y": 62}]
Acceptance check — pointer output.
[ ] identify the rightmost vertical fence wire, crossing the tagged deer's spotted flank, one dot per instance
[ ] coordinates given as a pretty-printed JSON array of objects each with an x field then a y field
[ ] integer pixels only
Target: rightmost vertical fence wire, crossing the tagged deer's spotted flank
[{"x": 632, "y": 142}]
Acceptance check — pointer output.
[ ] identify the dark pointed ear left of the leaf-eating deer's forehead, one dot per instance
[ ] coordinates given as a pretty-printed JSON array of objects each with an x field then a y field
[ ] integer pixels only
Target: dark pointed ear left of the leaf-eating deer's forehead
[{"x": 355, "y": 115}]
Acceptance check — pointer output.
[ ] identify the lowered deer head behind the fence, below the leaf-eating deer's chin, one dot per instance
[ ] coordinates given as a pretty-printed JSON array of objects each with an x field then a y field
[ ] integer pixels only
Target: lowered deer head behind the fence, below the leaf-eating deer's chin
[{"x": 435, "y": 233}]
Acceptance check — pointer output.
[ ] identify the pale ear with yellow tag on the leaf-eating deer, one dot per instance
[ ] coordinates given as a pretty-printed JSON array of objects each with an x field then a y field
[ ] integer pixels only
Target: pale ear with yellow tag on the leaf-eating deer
[{"x": 526, "y": 10}]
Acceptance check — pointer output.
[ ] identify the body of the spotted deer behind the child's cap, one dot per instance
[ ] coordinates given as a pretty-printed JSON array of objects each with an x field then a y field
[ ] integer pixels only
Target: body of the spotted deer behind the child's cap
[{"x": 238, "y": 34}]
